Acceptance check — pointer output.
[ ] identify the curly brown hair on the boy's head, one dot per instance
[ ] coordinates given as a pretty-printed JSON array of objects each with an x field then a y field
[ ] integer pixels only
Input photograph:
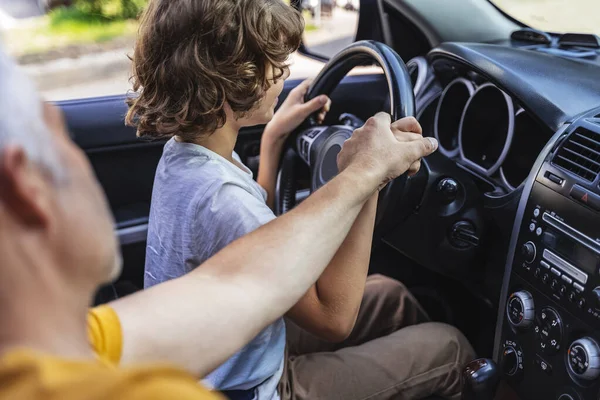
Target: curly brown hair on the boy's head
[{"x": 194, "y": 56}]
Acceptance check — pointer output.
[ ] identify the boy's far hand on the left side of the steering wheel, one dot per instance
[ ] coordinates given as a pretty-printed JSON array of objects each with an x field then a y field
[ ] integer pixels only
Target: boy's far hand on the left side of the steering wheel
[{"x": 294, "y": 111}]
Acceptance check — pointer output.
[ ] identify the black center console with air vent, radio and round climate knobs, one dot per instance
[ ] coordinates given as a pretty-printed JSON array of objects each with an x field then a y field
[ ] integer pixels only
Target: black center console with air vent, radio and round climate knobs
[{"x": 548, "y": 333}]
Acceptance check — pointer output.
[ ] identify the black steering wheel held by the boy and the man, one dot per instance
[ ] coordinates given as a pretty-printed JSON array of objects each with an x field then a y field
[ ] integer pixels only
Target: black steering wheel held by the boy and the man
[{"x": 319, "y": 145}]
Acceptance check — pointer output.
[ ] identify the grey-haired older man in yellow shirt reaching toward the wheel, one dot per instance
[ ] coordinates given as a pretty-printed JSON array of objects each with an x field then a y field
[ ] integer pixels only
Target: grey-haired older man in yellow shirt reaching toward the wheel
[{"x": 57, "y": 245}]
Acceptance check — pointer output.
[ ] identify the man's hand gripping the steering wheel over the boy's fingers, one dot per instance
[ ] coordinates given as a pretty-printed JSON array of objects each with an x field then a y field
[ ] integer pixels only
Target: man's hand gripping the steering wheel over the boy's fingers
[{"x": 384, "y": 151}]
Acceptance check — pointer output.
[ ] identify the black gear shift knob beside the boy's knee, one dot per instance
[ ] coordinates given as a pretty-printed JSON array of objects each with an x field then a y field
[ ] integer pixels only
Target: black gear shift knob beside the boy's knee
[{"x": 480, "y": 380}]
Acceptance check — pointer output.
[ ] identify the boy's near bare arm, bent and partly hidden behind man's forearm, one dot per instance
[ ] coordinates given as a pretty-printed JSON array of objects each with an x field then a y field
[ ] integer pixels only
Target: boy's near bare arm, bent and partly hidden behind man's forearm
[{"x": 330, "y": 307}]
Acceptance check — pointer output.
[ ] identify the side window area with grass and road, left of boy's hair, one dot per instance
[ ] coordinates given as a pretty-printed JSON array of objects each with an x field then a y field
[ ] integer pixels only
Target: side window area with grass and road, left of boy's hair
[{"x": 72, "y": 48}]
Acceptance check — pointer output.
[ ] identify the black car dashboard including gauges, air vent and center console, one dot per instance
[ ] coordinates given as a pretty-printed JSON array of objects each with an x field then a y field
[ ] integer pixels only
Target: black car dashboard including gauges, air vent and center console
[{"x": 519, "y": 135}]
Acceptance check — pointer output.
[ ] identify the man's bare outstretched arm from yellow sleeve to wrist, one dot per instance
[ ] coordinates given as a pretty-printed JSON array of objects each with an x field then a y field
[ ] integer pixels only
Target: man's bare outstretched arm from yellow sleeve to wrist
[{"x": 199, "y": 320}]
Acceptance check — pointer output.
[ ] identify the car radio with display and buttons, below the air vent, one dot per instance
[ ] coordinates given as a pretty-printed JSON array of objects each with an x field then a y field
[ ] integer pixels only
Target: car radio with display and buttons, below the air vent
[{"x": 560, "y": 252}]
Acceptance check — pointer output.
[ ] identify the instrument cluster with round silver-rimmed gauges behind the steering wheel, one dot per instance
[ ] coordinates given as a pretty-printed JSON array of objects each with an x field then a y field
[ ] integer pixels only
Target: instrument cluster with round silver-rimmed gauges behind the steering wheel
[{"x": 483, "y": 128}]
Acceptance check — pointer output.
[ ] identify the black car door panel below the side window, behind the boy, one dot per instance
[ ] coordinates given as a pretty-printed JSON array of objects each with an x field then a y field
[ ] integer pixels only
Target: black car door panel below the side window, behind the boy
[{"x": 125, "y": 165}]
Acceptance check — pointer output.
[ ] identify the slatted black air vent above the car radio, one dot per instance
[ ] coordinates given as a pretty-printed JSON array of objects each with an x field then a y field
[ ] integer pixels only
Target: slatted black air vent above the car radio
[{"x": 580, "y": 154}]
